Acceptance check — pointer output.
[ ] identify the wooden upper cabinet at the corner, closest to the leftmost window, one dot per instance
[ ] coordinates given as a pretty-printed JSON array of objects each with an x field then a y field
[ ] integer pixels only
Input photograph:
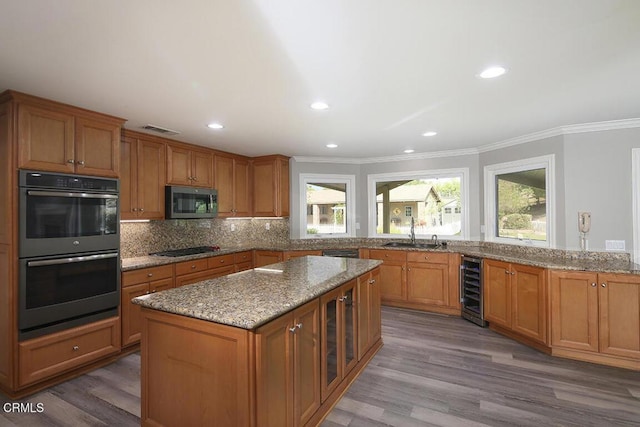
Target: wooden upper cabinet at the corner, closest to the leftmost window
[{"x": 271, "y": 186}]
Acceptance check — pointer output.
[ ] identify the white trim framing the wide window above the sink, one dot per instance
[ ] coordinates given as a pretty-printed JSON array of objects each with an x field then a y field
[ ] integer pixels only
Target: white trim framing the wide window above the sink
[{"x": 463, "y": 173}]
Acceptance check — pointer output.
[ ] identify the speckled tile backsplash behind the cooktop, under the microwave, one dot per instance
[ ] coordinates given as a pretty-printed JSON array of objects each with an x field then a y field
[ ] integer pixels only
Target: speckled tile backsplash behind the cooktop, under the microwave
[{"x": 142, "y": 238}]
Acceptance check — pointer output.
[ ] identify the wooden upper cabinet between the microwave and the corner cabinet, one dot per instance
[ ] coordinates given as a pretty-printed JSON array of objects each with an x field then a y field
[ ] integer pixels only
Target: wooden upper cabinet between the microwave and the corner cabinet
[{"x": 233, "y": 182}]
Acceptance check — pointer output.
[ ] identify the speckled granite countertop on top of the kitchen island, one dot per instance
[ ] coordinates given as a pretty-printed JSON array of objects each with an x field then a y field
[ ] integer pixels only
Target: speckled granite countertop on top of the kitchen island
[{"x": 251, "y": 298}]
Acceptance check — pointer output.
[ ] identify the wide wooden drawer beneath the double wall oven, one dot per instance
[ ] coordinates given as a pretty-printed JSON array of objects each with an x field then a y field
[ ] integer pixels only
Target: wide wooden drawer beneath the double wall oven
[{"x": 53, "y": 354}]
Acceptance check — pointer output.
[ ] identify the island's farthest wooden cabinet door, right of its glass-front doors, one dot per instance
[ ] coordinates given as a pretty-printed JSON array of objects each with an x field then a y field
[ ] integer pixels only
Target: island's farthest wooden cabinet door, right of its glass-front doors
[{"x": 369, "y": 319}]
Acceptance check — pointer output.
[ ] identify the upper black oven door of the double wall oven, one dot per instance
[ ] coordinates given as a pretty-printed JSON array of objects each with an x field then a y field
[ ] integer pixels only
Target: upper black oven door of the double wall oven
[{"x": 56, "y": 222}]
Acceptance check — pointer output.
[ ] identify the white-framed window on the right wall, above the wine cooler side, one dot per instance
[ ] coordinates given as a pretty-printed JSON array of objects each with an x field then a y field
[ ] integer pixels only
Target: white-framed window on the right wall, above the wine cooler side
[{"x": 519, "y": 202}]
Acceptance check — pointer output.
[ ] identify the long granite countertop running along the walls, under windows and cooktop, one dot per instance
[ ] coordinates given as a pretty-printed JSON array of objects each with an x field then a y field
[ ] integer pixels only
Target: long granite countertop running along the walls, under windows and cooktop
[{"x": 529, "y": 256}]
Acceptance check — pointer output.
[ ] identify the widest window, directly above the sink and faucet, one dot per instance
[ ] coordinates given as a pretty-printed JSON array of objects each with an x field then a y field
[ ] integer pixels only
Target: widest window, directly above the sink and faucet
[{"x": 429, "y": 197}]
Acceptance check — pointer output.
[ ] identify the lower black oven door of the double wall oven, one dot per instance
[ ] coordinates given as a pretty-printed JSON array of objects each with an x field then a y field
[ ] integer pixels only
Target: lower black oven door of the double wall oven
[{"x": 64, "y": 288}]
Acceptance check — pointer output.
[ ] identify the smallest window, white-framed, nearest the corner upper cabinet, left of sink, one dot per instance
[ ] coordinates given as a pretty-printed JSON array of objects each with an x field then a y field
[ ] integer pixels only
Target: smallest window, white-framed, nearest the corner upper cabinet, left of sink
[{"x": 328, "y": 204}]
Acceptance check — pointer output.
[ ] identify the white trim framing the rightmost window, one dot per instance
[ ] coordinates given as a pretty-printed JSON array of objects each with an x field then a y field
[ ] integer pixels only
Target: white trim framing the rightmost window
[{"x": 490, "y": 172}]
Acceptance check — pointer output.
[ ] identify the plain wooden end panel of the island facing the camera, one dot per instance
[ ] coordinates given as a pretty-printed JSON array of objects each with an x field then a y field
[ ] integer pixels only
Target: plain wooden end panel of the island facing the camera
[{"x": 194, "y": 373}]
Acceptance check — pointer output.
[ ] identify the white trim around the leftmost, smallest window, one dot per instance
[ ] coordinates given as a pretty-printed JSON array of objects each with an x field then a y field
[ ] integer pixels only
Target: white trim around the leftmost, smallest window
[{"x": 350, "y": 181}]
